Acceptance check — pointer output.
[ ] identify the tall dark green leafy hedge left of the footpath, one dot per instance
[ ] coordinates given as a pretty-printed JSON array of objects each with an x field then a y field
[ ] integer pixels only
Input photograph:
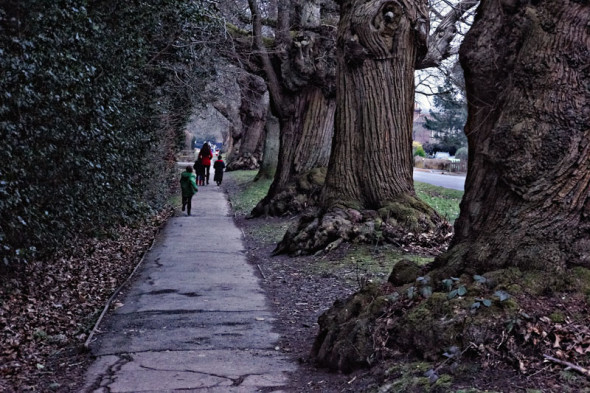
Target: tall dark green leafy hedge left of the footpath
[{"x": 94, "y": 95}]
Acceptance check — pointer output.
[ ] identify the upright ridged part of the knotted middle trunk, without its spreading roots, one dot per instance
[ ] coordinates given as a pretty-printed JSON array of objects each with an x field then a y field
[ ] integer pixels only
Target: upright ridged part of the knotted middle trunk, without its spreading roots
[{"x": 377, "y": 47}]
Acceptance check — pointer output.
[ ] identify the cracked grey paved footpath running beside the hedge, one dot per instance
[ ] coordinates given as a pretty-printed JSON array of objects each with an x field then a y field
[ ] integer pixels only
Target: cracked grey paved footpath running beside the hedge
[{"x": 195, "y": 319}]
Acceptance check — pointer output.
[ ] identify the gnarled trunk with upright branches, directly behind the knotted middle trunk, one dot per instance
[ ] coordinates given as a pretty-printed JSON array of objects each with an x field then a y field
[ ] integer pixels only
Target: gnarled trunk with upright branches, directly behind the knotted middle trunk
[{"x": 303, "y": 100}]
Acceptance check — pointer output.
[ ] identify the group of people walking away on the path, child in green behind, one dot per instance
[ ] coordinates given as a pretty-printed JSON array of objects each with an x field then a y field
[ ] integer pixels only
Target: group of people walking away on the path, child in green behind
[{"x": 190, "y": 181}]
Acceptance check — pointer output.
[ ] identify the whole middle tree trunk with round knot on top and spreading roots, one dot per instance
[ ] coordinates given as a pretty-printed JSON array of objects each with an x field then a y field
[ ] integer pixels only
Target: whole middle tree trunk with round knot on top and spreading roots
[{"x": 369, "y": 187}]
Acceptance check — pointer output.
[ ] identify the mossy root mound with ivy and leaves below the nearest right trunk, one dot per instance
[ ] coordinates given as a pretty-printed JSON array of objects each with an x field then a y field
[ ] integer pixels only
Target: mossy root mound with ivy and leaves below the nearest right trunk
[{"x": 507, "y": 318}]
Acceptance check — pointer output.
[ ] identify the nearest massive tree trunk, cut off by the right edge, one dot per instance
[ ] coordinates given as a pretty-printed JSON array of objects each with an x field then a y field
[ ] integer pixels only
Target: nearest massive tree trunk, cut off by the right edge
[{"x": 527, "y": 196}]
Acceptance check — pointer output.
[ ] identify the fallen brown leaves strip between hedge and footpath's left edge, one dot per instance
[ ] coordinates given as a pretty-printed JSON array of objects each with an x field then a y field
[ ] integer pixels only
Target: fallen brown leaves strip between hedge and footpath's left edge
[{"x": 50, "y": 306}]
